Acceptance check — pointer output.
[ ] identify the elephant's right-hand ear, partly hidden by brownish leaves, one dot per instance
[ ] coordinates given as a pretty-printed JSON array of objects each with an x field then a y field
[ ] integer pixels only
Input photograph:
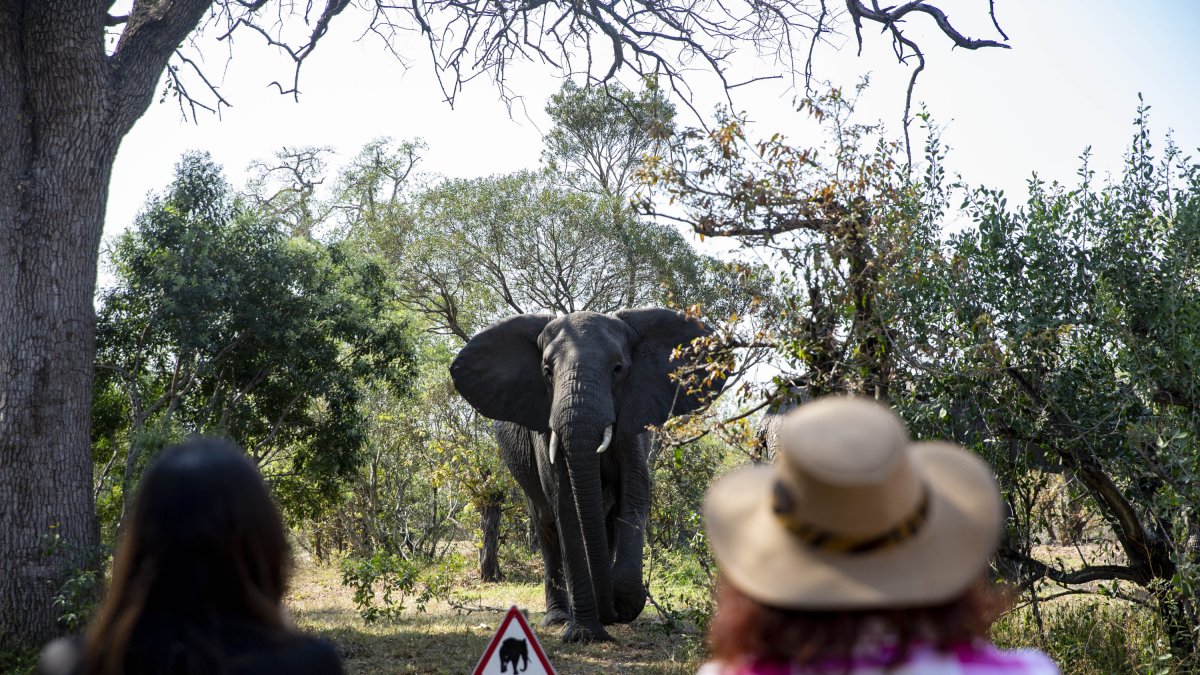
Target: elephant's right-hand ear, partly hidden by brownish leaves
[{"x": 651, "y": 393}]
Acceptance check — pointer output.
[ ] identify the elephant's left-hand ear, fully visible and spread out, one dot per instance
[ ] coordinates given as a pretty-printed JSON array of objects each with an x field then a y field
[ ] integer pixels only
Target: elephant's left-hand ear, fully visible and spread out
[{"x": 500, "y": 372}]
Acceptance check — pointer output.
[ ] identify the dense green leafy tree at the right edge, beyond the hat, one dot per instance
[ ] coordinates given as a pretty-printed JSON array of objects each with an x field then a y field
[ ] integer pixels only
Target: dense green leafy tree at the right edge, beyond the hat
[{"x": 1070, "y": 326}]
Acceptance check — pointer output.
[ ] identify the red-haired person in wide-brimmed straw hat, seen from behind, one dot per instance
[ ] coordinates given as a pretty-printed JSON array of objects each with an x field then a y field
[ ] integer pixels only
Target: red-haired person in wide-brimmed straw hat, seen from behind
[{"x": 857, "y": 552}]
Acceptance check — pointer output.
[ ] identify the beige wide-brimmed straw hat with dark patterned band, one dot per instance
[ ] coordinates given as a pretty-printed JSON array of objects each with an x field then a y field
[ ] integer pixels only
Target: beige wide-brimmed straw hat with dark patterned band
[{"x": 854, "y": 516}]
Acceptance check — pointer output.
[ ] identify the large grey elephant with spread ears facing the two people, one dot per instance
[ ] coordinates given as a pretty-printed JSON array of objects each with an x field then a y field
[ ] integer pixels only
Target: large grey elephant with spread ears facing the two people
[{"x": 572, "y": 398}]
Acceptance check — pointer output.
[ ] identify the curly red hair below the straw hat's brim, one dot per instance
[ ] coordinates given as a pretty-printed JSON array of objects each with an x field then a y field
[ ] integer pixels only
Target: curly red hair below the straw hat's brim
[{"x": 746, "y": 631}]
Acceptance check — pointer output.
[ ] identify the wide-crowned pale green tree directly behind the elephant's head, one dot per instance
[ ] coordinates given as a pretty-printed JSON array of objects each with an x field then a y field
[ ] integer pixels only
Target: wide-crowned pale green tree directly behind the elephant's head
[{"x": 470, "y": 252}]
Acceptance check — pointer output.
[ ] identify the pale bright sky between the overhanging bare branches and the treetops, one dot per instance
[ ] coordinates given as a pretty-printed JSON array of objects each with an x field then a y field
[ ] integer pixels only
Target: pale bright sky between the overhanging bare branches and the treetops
[{"x": 1070, "y": 81}]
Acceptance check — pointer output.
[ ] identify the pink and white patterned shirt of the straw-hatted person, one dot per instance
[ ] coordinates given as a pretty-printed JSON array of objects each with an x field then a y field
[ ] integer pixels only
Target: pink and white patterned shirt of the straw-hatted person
[{"x": 968, "y": 660}]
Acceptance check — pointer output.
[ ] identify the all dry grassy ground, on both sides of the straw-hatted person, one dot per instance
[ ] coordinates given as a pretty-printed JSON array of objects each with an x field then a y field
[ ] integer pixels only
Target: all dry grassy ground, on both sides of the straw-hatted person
[{"x": 1084, "y": 635}]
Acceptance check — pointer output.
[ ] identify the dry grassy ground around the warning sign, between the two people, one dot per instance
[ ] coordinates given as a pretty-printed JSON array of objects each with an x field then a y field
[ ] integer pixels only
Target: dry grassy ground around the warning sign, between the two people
[{"x": 445, "y": 640}]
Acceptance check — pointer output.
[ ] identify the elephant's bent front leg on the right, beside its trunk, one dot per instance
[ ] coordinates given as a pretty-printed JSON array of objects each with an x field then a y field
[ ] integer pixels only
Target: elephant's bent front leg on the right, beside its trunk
[{"x": 633, "y": 510}]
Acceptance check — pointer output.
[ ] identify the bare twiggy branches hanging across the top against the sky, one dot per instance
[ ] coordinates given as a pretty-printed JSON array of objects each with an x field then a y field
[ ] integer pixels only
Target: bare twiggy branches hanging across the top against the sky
[{"x": 593, "y": 40}]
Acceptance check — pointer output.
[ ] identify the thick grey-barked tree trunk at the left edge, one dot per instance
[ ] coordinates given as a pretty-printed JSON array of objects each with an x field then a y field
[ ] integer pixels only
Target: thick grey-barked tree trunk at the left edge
[{"x": 64, "y": 107}]
